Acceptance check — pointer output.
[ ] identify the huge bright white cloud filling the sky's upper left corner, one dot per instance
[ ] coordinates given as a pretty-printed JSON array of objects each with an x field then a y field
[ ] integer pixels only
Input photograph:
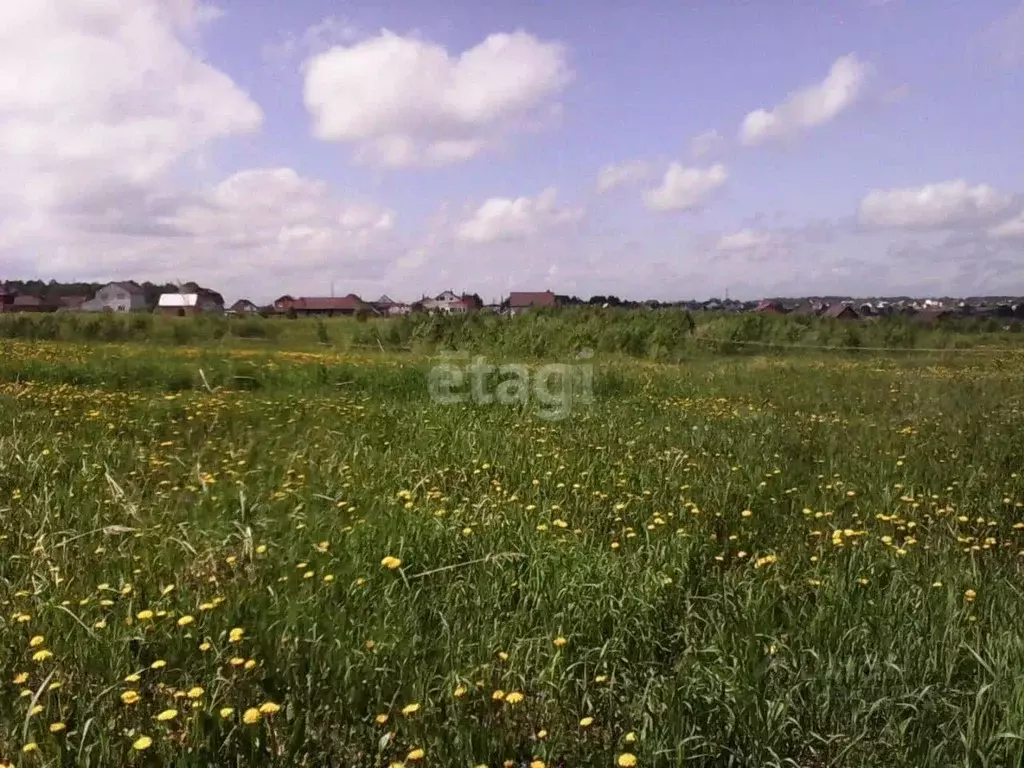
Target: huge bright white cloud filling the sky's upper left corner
[{"x": 103, "y": 97}]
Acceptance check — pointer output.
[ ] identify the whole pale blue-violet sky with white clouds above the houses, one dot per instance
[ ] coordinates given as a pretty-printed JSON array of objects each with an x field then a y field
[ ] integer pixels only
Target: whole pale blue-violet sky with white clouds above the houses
[{"x": 667, "y": 150}]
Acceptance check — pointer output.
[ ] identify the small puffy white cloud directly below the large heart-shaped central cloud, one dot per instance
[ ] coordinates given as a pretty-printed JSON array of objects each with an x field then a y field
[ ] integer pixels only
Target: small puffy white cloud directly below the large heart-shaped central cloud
[{"x": 504, "y": 219}]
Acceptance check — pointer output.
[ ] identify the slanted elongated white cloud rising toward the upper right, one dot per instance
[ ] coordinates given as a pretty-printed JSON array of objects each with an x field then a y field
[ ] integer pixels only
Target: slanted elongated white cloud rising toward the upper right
[{"x": 812, "y": 107}]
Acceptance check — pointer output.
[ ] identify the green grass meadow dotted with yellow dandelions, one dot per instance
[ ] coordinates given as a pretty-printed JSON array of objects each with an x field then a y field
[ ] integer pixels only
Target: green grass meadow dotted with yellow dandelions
[{"x": 297, "y": 559}]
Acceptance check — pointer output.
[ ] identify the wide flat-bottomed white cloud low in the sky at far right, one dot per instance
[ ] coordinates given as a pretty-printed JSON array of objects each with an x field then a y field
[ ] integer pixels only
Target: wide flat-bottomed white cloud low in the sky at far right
[{"x": 941, "y": 206}]
